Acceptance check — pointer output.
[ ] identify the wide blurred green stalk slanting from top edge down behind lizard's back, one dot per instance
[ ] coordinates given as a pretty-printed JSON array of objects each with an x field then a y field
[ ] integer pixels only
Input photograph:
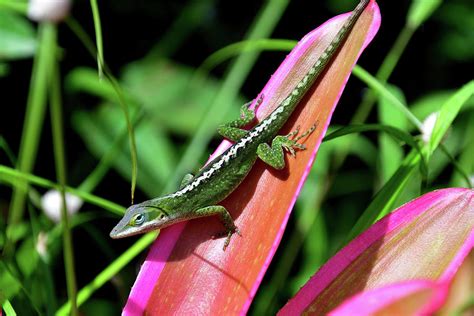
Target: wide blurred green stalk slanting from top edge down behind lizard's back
[{"x": 263, "y": 27}]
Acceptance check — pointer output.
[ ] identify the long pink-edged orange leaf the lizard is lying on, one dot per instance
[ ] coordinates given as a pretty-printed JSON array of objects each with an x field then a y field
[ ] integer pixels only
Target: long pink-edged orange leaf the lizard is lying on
[{"x": 187, "y": 271}]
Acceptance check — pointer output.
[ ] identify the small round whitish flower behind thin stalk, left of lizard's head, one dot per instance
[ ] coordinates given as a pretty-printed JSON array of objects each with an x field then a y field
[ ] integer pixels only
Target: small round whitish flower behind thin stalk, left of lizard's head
[{"x": 51, "y": 203}]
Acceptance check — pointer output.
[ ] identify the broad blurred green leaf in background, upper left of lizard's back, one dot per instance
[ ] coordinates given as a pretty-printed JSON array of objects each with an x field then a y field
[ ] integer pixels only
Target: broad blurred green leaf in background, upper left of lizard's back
[{"x": 158, "y": 86}]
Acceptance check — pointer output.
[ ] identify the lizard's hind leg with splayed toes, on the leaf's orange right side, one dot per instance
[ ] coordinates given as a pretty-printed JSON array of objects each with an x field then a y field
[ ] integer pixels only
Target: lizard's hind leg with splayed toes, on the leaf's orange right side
[{"x": 274, "y": 155}]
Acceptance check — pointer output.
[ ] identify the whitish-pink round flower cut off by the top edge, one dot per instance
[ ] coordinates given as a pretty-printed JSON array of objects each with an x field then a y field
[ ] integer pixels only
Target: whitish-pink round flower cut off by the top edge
[{"x": 48, "y": 10}]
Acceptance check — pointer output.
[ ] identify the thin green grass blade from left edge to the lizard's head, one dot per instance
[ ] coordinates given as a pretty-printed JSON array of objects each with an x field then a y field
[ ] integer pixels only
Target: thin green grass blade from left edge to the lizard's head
[{"x": 90, "y": 198}]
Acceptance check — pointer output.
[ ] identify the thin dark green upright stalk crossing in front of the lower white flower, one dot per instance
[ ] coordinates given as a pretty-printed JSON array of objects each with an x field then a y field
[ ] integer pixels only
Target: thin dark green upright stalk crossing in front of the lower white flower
[{"x": 60, "y": 163}]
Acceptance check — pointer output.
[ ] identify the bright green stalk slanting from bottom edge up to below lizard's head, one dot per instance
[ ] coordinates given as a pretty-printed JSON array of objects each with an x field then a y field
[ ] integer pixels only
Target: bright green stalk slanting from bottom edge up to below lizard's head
[{"x": 109, "y": 272}]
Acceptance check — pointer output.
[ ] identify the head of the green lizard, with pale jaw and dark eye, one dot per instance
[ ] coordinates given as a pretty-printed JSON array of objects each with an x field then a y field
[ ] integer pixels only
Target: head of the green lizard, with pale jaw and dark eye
[{"x": 141, "y": 218}]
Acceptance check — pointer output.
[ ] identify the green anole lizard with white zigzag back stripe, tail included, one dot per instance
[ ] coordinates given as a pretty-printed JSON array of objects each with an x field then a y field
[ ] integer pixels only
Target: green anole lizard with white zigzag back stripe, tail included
[{"x": 199, "y": 195}]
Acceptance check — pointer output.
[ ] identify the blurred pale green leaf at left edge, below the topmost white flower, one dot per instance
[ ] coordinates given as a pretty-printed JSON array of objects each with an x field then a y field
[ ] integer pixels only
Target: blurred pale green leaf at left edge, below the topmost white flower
[{"x": 17, "y": 36}]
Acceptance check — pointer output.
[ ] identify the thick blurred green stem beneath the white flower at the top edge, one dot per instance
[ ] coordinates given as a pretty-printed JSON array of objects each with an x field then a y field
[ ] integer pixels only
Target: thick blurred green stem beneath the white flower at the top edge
[{"x": 34, "y": 118}]
